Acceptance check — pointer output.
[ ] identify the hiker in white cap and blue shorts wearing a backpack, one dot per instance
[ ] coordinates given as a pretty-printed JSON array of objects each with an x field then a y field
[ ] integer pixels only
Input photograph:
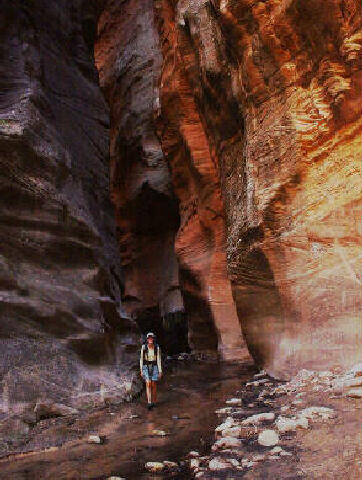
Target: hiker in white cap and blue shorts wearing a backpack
[{"x": 150, "y": 366}]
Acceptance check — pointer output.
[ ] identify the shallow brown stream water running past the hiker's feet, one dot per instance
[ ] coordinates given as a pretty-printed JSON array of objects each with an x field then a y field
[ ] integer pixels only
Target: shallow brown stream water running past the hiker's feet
[{"x": 189, "y": 394}]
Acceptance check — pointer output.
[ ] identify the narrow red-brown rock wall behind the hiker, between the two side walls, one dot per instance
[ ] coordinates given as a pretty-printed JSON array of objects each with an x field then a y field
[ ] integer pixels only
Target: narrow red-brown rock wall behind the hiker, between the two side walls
[{"x": 165, "y": 186}]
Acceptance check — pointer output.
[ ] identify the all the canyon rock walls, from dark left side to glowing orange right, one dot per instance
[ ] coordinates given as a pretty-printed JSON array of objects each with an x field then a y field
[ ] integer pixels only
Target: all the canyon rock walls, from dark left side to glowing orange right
[{"x": 188, "y": 167}]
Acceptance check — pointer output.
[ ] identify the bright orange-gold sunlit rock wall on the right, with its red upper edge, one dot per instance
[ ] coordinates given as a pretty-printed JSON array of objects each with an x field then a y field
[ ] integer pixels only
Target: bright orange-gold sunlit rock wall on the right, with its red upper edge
[{"x": 259, "y": 111}]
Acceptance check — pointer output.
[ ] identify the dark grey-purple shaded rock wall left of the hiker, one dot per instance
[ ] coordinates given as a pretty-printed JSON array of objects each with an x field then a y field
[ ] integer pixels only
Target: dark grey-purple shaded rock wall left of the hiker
[{"x": 63, "y": 335}]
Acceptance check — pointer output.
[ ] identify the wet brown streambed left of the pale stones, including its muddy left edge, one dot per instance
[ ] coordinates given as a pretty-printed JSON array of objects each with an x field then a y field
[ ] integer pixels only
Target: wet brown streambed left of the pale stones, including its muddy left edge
[{"x": 120, "y": 440}]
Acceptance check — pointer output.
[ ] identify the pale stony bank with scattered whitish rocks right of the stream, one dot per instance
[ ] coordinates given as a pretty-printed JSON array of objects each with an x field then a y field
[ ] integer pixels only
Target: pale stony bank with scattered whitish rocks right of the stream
[{"x": 309, "y": 427}]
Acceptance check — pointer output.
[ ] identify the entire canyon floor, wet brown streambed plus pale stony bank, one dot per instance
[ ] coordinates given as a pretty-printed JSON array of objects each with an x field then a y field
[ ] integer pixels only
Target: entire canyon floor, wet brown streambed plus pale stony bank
[{"x": 194, "y": 397}]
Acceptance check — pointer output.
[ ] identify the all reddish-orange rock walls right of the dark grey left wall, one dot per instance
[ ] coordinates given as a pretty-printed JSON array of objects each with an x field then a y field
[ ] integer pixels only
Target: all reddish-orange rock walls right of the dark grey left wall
[{"x": 234, "y": 131}]
